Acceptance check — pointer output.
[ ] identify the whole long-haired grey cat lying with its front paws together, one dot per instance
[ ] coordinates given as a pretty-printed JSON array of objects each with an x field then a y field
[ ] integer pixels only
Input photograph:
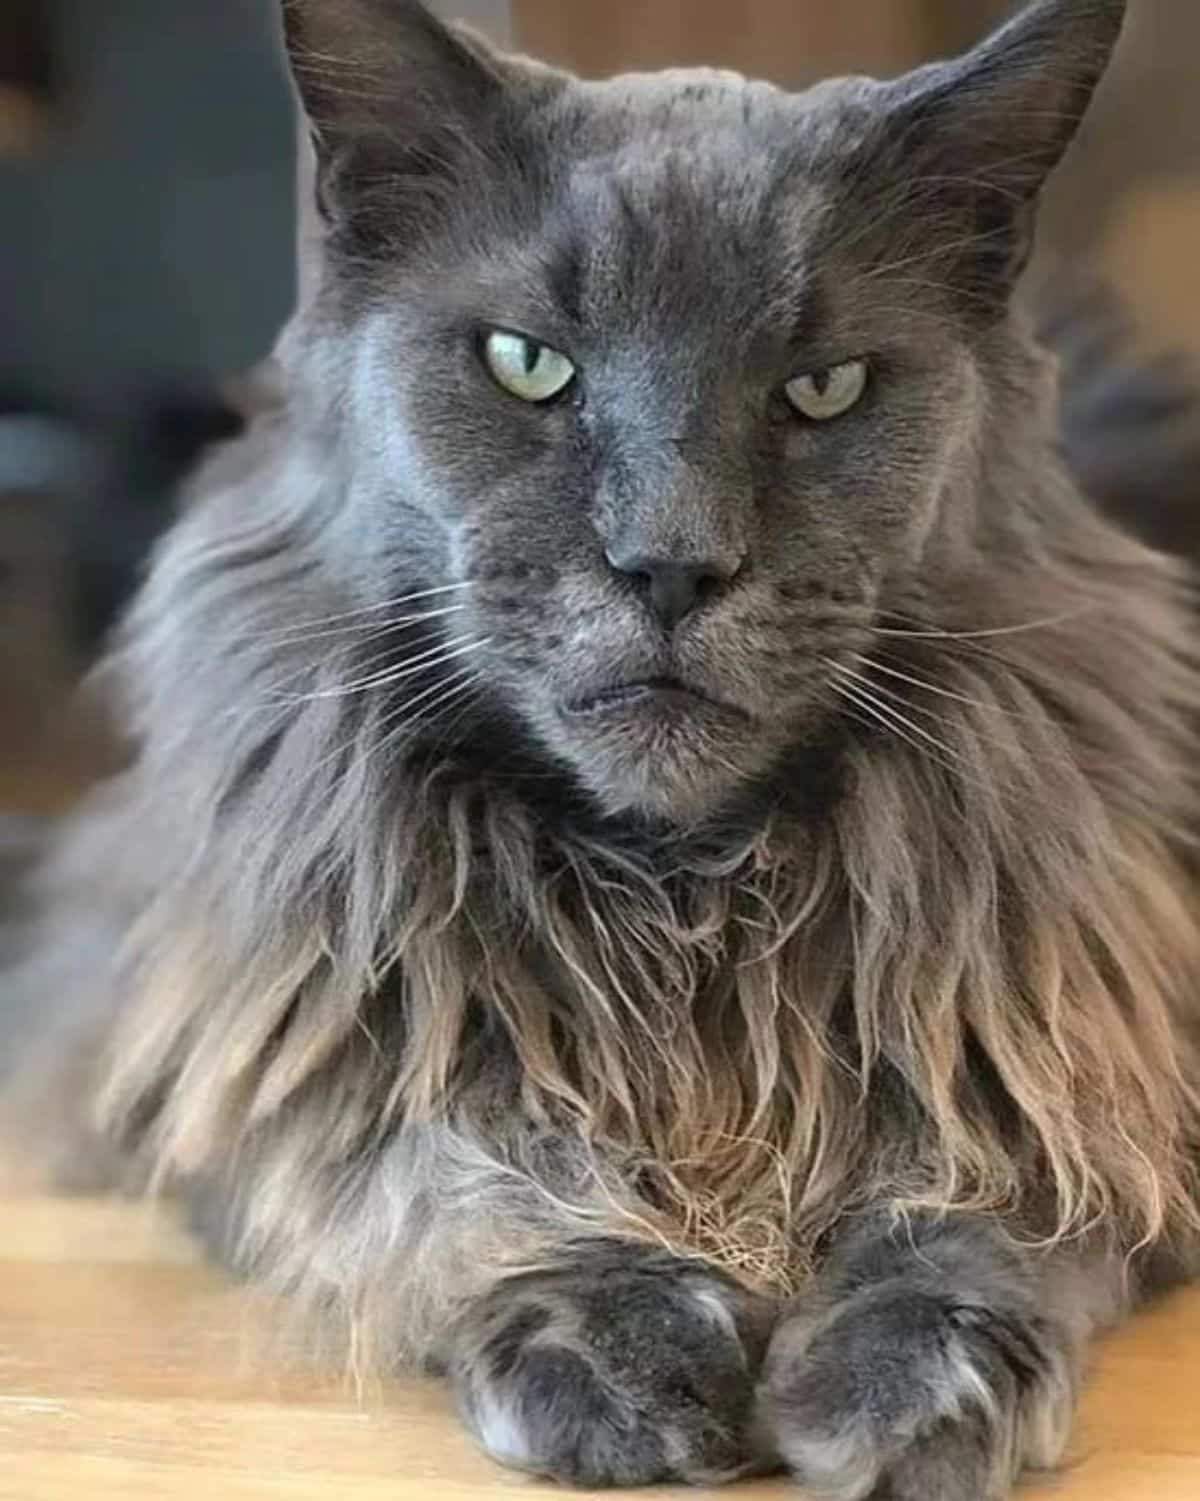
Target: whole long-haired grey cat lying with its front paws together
[{"x": 659, "y": 877}]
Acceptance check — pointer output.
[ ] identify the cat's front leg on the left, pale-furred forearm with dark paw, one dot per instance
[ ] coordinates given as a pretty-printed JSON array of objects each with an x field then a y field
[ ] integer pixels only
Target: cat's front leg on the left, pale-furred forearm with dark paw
[{"x": 574, "y": 1349}]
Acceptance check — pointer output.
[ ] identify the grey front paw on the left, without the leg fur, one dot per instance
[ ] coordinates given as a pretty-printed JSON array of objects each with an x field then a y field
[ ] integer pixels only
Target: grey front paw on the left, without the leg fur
[{"x": 623, "y": 1368}]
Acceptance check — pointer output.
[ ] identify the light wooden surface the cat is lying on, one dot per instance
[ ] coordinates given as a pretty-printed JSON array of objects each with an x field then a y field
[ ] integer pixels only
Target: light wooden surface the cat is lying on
[{"x": 133, "y": 1373}]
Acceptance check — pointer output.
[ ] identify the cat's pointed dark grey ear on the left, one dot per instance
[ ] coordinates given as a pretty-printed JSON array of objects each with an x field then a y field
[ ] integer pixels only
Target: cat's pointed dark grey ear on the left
[{"x": 402, "y": 107}]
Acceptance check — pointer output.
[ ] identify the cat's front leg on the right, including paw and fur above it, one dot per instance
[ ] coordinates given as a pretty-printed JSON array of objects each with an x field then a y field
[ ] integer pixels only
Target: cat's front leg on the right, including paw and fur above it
[{"x": 935, "y": 1361}]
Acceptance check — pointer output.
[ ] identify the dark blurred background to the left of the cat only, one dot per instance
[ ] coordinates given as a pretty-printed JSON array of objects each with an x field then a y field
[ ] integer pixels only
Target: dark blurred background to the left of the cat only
[{"x": 146, "y": 256}]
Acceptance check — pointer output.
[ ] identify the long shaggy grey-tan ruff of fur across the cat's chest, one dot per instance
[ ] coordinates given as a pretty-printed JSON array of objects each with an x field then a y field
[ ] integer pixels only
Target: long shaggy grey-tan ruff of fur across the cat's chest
[{"x": 986, "y": 951}]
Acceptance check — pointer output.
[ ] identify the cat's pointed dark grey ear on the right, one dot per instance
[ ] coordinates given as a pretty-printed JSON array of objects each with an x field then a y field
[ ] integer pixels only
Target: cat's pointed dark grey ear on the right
[{"x": 986, "y": 131}]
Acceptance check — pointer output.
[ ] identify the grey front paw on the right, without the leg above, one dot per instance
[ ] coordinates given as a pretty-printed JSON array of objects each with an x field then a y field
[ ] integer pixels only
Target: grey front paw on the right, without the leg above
[{"x": 903, "y": 1392}]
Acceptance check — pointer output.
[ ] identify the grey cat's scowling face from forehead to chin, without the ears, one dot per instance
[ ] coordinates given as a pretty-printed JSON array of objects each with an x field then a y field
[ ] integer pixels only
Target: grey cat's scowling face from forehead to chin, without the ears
[{"x": 699, "y": 293}]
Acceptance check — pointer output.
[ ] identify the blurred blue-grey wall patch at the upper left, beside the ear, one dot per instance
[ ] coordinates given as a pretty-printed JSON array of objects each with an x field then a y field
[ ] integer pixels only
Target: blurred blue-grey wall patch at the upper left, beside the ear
[{"x": 149, "y": 236}]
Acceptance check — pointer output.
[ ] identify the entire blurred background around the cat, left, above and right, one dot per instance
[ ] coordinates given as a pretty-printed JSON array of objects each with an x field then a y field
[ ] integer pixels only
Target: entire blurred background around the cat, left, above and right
[{"x": 148, "y": 230}]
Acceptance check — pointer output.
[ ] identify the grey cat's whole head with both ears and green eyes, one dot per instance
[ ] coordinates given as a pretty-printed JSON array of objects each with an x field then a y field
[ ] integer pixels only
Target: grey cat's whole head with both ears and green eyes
[{"x": 684, "y": 379}]
